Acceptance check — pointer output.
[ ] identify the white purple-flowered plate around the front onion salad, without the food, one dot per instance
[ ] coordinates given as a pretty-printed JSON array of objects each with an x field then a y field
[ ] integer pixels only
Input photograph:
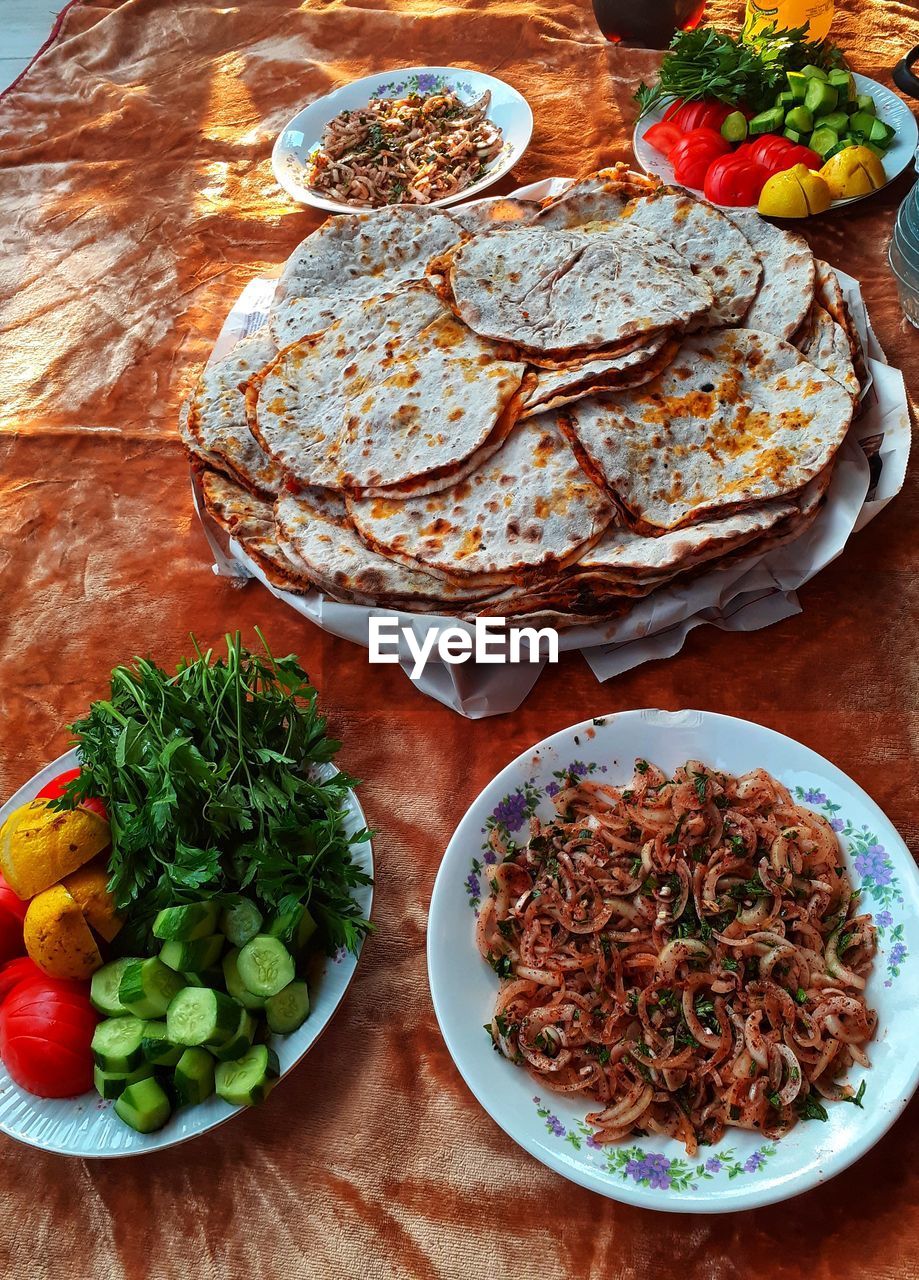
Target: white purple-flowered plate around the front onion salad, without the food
[{"x": 744, "y": 1172}]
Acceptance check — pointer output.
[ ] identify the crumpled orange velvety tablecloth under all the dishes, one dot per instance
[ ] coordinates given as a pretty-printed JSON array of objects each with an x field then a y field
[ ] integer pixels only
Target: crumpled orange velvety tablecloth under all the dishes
[{"x": 136, "y": 200}]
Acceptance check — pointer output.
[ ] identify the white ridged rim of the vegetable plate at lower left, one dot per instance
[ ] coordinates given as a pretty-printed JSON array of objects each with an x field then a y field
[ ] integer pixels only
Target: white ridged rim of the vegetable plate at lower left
[{"x": 337, "y": 976}]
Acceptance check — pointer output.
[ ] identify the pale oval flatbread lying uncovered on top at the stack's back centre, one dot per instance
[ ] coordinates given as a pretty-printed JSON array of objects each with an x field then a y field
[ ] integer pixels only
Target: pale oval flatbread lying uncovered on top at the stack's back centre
[{"x": 575, "y": 291}]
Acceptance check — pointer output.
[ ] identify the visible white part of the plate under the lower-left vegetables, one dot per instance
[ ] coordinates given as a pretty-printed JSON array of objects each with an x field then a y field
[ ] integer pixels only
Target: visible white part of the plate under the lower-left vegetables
[{"x": 88, "y": 1126}]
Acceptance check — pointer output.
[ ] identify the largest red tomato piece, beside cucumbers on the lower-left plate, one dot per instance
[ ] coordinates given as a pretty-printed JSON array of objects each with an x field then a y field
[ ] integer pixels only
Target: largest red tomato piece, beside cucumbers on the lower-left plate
[{"x": 45, "y": 1036}]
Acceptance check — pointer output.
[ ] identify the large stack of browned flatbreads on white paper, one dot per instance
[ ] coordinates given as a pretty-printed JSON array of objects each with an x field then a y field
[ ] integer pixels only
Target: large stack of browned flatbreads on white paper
[{"x": 536, "y": 412}]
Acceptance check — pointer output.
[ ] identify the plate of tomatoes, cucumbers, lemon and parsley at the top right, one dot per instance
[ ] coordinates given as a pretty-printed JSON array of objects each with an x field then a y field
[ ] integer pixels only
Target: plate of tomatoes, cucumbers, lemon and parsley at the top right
[{"x": 780, "y": 125}]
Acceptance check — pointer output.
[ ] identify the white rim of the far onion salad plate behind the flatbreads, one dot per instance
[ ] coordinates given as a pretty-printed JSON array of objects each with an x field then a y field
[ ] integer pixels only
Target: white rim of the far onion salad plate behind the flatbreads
[{"x": 336, "y": 102}]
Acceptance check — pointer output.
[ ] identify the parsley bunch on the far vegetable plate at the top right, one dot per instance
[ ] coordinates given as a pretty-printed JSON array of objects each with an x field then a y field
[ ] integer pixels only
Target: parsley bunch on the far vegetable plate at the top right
[{"x": 710, "y": 63}]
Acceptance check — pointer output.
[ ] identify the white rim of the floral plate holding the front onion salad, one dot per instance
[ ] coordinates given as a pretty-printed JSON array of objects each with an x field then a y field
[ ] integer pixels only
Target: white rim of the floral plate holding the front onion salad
[{"x": 447, "y": 900}]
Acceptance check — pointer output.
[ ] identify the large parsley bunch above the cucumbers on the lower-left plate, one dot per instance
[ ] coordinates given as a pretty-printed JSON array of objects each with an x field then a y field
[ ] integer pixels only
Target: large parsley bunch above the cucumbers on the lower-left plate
[{"x": 211, "y": 781}]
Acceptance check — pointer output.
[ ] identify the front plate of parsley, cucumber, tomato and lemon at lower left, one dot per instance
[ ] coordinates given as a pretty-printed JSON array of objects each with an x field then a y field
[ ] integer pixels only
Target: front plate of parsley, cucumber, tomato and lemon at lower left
[{"x": 184, "y": 903}]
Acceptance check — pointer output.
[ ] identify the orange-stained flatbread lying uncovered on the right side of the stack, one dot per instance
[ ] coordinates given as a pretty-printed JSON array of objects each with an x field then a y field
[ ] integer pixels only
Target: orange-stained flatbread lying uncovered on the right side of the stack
[{"x": 738, "y": 418}]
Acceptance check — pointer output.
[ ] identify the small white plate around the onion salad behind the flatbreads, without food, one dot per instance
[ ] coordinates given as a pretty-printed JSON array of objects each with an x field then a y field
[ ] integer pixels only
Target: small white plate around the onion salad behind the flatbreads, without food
[{"x": 301, "y": 136}]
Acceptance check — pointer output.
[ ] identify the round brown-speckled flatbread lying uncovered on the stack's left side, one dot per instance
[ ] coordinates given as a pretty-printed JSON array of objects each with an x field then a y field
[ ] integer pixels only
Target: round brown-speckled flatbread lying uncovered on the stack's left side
[{"x": 396, "y": 392}]
